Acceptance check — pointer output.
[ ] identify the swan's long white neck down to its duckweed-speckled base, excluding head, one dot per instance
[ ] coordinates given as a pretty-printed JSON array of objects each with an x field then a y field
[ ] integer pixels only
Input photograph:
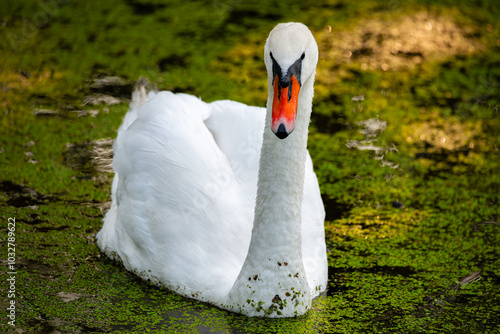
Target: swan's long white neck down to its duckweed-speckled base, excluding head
[{"x": 272, "y": 280}]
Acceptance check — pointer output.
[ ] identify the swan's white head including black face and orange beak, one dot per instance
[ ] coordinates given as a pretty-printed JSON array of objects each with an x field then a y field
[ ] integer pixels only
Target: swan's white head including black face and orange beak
[{"x": 291, "y": 56}]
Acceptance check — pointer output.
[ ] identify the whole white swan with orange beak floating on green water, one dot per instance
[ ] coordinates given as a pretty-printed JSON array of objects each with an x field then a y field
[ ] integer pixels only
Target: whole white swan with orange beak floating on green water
[{"x": 191, "y": 213}]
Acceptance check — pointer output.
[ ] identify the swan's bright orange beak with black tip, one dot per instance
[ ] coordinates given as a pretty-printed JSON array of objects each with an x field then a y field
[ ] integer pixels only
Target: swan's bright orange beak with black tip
[{"x": 285, "y": 101}]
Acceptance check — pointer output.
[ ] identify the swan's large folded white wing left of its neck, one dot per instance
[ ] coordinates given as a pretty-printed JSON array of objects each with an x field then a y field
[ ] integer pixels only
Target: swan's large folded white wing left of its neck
[{"x": 179, "y": 216}]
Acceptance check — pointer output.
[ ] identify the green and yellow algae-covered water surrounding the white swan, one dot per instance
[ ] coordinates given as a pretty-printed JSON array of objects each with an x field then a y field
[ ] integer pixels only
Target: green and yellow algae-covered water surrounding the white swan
[{"x": 405, "y": 139}]
